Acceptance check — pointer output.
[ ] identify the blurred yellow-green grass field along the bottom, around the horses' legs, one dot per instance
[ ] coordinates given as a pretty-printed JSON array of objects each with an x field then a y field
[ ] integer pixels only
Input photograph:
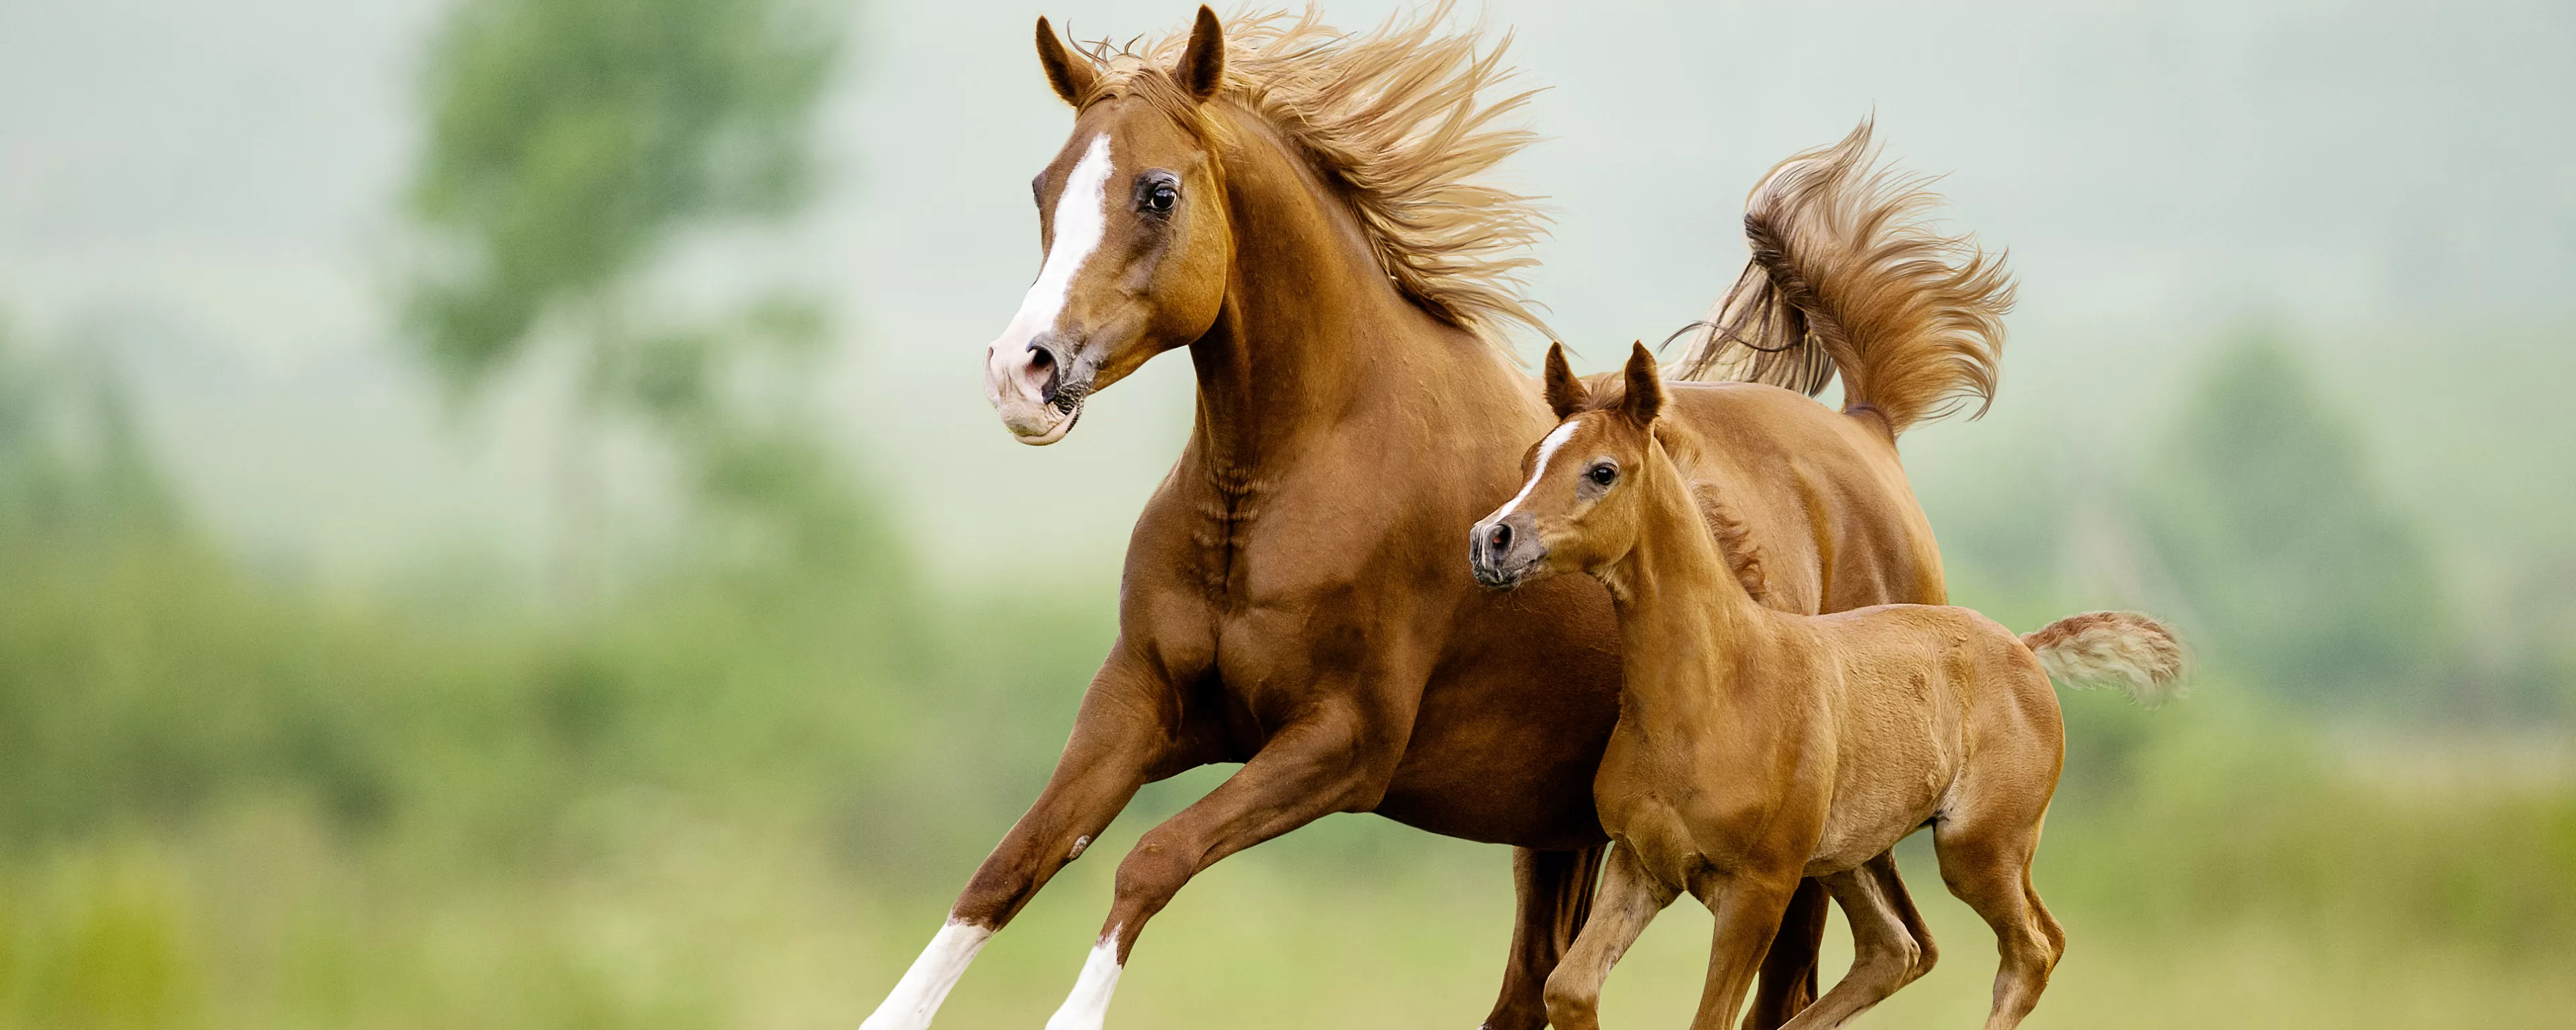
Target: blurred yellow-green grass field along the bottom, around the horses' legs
[{"x": 2227, "y": 887}]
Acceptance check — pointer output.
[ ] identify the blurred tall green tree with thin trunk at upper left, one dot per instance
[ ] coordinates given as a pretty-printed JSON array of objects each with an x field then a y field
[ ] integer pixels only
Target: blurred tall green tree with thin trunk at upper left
[{"x": 568, "y": 145}]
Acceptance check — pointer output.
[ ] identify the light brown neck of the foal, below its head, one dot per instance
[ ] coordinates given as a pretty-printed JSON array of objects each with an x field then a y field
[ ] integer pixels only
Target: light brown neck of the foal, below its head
[{"x": 1683, "y": 617}]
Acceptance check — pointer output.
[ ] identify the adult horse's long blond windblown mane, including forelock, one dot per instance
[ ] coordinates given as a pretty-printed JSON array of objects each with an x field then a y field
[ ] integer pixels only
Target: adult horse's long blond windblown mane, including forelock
[{"x": 1397, "y": 120}]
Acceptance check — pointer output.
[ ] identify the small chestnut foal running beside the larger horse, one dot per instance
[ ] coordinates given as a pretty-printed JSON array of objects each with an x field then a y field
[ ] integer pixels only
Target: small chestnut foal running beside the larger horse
[{"x": 1758, "y": 748}]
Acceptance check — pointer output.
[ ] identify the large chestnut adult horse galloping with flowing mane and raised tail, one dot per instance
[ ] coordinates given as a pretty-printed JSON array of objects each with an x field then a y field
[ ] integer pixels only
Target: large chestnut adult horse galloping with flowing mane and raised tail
[{"x": 1297, "y": 207}]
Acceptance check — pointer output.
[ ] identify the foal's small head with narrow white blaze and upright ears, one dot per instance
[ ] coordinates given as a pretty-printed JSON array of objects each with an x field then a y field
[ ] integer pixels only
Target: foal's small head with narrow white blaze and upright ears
[{"x": 1578, "y": 511}]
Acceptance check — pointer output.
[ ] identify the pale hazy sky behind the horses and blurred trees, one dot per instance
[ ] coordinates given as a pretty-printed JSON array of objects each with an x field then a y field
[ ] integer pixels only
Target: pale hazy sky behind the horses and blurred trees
[{"x": 210, "y": 187}]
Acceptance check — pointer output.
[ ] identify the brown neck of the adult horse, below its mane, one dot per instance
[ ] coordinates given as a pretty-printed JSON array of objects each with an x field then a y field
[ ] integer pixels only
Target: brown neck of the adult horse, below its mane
[{"x": 1310, "y": 326}]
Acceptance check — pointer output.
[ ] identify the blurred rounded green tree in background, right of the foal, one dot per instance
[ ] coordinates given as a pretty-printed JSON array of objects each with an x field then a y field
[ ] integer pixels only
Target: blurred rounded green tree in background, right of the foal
[{"x": 2294, "y": 565}]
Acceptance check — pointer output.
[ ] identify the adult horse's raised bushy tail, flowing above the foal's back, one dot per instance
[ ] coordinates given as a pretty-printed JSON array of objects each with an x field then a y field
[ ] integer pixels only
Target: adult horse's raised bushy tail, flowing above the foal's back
[{"x": 1851, "y": 277}]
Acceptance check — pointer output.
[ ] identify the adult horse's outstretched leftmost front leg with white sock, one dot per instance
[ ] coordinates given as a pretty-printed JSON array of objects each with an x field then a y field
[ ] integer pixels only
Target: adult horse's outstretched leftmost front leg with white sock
[{"x": 1124, "y": 735}]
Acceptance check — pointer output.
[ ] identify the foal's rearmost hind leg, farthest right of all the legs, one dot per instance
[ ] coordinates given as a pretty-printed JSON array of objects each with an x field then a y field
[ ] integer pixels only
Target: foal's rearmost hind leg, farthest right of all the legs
[{"x": 1985, "y": 859}]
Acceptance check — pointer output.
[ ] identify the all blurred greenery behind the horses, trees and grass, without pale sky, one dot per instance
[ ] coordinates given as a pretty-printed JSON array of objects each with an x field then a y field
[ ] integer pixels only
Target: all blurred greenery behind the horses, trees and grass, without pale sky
[{"x": 730, "y": 769}]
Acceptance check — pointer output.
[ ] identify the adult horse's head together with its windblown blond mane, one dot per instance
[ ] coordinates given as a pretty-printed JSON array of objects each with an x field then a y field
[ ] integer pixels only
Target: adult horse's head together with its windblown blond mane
[{"x": 1387, "y": 133}]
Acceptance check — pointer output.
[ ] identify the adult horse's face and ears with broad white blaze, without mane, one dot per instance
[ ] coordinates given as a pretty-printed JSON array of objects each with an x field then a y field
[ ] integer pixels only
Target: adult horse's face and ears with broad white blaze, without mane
[{"x": 1135, "y": 230}]
